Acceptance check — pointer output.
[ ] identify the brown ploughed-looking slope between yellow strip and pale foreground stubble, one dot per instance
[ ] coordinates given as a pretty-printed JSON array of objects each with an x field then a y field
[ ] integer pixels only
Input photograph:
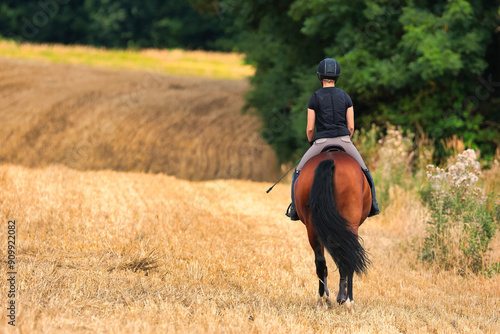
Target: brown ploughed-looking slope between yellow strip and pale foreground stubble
[{"x": 90, "y": 118}]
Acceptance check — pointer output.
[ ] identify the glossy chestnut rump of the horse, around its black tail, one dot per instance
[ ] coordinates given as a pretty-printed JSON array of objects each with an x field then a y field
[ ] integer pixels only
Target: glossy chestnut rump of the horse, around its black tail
[{"x": 351, "y": 189}]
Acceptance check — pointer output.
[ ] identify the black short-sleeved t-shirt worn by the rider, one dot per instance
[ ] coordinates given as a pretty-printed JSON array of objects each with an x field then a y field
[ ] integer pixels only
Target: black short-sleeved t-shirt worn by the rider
[{"x": 330, "y": 106}]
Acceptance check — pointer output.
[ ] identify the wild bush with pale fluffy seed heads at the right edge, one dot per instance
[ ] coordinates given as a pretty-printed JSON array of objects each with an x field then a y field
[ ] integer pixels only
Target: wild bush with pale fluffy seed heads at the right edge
[{"x": 461, "y": 225}]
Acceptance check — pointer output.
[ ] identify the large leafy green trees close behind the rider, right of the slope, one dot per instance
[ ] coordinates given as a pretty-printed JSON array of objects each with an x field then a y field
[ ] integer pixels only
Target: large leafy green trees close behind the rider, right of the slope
[{"x": 422, "y": 64}]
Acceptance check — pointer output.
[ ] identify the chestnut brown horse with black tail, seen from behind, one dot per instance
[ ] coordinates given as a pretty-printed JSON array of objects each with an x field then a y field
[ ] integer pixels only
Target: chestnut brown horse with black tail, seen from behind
[{"x": 333, "y": 198}]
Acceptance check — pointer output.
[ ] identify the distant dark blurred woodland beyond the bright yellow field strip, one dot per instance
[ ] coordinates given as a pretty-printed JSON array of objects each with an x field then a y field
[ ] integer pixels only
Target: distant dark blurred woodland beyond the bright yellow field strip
[{"x": 113, "y": 23}]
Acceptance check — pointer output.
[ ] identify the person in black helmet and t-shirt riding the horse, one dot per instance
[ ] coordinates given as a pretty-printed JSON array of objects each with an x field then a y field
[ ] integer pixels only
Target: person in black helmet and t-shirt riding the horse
[{"x": 330, "y": 110}]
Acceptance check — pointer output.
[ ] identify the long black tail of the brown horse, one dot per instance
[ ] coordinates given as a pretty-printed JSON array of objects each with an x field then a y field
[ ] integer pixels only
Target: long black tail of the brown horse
[{"x": 342, "y": 244}]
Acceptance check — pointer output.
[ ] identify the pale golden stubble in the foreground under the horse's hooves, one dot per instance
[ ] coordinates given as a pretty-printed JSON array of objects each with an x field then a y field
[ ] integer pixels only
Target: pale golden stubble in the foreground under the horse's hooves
[{"x": 104, "y": 251}]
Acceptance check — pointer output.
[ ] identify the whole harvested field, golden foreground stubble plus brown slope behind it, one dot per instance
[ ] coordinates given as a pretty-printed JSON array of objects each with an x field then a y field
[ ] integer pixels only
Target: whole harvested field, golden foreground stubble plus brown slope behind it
[{"x": 111, "y": 237}]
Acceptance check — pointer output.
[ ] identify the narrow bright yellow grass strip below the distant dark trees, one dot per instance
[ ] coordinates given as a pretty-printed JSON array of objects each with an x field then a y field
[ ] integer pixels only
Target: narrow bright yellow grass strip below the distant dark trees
[{"x": 205, "y": 64}]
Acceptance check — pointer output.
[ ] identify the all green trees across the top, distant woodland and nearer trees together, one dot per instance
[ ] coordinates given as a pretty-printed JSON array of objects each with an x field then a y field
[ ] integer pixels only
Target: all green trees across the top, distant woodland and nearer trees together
[{"x": 430, "y": 65}]
